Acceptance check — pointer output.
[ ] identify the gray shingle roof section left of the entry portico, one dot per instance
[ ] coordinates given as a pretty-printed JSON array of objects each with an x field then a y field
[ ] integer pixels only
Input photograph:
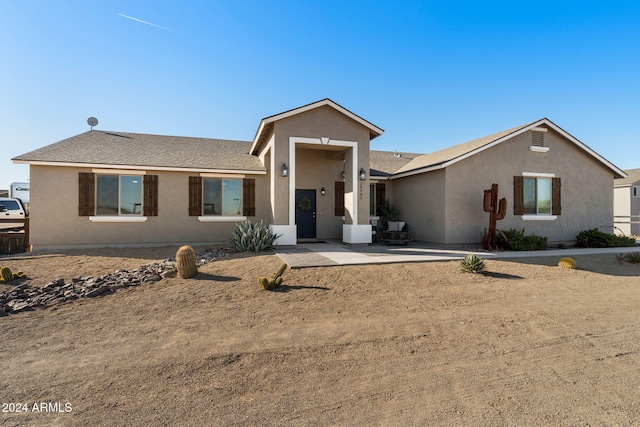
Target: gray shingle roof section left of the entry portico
[{"x": 97, "y": 147}]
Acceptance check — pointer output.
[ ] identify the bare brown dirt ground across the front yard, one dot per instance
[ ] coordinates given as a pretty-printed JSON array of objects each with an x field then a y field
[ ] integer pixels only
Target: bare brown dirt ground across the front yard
[{"x": 526, "y": 344}]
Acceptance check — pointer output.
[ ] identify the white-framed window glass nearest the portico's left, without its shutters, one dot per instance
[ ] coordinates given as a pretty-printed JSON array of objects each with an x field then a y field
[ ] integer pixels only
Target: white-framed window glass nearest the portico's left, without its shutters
[{"x": 222, "y": 197}]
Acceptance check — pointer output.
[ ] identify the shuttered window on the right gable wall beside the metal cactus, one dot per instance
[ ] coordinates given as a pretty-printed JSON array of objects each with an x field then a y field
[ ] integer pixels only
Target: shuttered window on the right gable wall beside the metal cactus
[{"x": 536, "y": 197}]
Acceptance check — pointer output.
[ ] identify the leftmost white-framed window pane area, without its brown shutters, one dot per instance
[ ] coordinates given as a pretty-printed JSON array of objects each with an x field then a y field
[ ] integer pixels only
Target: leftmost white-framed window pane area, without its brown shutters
[{"x": 119, "y": 195}]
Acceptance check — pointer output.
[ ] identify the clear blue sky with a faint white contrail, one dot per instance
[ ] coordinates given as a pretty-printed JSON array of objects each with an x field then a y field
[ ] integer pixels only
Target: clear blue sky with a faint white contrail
[{"x": 430, "y": 73}]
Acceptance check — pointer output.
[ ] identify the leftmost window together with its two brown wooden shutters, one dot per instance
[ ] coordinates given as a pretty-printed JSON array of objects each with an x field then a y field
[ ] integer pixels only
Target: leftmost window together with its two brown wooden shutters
[{"x": 117, "y": 195}]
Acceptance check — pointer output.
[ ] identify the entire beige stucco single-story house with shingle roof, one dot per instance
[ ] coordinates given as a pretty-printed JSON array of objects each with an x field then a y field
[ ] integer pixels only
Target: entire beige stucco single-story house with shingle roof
[{"x": 310, "y": 174}]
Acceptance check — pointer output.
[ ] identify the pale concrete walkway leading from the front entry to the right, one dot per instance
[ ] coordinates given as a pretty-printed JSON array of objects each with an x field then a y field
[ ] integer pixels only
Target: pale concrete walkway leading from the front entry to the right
[{"x": 332, "y": 253}]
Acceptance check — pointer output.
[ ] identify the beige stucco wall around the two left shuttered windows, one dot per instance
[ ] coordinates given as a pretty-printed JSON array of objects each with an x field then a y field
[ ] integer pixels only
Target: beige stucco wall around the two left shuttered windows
[{"x": 55, "y": 221}]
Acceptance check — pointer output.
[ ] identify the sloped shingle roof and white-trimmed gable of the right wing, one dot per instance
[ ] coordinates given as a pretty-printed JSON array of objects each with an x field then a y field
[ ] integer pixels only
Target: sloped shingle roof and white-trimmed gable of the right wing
[{"x": 448, "y": 156}]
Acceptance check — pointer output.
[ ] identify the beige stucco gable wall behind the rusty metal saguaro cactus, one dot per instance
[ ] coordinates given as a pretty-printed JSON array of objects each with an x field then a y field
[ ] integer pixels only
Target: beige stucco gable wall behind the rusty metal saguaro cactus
[{"x": 587, "y": 189}]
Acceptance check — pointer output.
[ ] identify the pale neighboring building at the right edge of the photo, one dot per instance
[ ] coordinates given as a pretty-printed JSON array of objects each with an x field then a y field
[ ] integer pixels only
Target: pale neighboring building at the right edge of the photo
[{"x": 626, "y": 208}]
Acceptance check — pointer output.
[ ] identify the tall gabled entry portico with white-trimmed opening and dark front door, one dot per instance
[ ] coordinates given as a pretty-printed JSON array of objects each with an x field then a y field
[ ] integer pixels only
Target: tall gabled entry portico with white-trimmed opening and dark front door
[{"x": 317, "y": 146}]
